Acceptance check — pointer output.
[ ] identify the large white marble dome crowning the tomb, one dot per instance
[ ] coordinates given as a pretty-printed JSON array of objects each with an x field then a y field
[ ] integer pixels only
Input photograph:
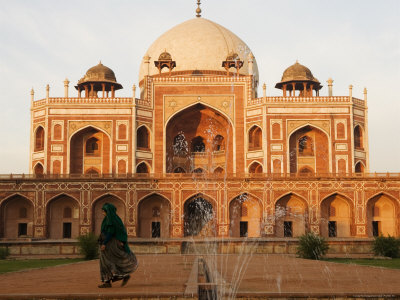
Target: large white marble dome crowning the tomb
[{"x": 198, "y": 44}]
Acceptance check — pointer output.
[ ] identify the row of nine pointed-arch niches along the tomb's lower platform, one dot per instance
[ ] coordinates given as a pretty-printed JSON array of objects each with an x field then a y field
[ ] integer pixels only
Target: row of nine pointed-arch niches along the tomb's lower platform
[{"x": 154, "y": 217}]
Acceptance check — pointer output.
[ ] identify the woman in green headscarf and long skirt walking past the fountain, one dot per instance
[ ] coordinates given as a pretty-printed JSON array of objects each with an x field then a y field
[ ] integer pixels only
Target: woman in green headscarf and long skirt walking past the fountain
[{"x": 117, "y": 261}]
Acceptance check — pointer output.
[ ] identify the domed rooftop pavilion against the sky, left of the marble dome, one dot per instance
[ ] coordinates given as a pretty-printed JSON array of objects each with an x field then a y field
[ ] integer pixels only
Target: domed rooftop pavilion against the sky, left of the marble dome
[{"x": 98, "y": 78}]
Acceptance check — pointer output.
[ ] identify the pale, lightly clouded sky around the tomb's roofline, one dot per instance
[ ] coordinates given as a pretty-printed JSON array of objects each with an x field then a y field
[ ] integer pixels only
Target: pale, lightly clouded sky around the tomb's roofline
[{"x": 355, "y": 42}]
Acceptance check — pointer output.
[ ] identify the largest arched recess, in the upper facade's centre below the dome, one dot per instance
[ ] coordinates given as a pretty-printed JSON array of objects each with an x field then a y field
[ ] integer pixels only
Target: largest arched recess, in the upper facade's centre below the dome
[{"x": 198, "y": 137}]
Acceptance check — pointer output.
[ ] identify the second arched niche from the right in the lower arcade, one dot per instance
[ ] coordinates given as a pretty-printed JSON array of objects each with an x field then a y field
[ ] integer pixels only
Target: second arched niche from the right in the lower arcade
[{"x": 336, "y": 216}]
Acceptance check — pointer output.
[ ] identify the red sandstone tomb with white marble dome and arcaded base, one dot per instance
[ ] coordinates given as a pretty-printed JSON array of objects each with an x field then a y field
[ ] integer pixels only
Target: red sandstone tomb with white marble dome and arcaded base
[{"x": 197, "y": 152}]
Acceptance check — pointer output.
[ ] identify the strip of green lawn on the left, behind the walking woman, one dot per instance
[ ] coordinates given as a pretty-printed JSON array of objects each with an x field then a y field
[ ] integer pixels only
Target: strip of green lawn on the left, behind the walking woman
[{"x": 18, "y": 265}]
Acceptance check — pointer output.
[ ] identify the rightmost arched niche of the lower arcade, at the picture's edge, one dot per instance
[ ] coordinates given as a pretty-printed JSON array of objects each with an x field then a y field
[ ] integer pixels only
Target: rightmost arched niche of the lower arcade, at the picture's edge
[{"x": 382, "y": 216}]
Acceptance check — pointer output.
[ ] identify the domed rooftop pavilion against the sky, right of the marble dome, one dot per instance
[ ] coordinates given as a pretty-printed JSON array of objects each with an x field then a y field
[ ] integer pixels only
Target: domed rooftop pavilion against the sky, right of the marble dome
[{"x": 298, "y": 77}]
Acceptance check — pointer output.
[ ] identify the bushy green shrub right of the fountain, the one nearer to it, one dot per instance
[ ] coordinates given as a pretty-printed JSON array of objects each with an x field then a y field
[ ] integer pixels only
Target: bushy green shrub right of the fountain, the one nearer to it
[{"x": 312, "y": 246}]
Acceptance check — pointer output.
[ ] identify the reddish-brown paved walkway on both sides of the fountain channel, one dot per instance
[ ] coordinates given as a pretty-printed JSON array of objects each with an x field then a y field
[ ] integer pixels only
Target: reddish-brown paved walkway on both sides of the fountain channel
[{"x": 167, "y": 275}]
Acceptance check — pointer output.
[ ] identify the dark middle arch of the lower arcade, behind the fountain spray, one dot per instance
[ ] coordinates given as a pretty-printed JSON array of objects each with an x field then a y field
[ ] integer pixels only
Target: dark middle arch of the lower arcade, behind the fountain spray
[{"x": 199, "y": 217}]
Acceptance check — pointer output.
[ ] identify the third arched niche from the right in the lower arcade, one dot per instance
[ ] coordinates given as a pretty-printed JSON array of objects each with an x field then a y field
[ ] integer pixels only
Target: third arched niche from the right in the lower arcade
[{"x": 291, "y": 216}]
